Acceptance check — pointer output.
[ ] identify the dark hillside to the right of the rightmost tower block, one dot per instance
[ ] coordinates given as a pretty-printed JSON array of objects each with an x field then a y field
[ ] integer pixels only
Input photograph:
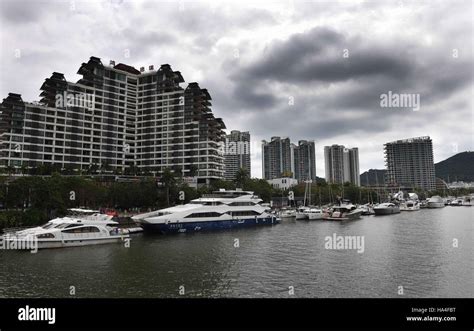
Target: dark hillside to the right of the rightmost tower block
[{"x": 459, "y": 167}]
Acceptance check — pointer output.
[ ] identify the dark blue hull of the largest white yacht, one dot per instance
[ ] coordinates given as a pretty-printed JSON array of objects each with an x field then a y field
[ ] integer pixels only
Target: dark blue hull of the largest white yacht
[{"x": 187, "y": 227}]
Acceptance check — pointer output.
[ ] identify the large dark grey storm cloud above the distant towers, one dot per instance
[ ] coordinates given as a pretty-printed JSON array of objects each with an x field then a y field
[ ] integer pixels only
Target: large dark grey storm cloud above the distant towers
[{"x": 313, "y": 61}]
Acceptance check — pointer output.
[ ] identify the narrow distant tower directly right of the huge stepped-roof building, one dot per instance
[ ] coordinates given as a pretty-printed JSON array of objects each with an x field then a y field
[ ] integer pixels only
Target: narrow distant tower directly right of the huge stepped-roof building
[{"x": 237, "y": 153}]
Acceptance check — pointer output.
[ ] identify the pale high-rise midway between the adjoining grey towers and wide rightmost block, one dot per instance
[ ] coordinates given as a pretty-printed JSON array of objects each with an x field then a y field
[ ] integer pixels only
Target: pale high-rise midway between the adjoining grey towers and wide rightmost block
[{"x": 342, "y": 164}]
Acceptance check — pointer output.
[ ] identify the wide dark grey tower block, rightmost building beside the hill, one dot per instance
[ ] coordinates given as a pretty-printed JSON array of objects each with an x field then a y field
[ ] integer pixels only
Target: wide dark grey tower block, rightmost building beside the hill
[{"x": 410, "y": 163}]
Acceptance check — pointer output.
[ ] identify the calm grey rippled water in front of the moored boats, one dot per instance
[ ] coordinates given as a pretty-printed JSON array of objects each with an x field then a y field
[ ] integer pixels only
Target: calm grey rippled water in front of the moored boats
[{"x": 411, "y": 249}]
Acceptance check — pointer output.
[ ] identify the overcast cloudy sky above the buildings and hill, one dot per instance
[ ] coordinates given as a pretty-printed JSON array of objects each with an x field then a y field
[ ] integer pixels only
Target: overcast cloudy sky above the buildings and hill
[{"x": 304, "y": 69}]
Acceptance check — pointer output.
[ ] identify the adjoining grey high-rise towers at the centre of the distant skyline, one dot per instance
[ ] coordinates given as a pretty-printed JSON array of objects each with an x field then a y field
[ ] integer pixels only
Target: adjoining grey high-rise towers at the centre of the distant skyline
[{"x": 281, "y": 158}]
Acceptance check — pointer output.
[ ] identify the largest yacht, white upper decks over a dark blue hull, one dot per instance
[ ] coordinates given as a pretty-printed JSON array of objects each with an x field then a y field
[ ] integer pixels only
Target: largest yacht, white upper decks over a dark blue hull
[{"x": 220, "y": 210}]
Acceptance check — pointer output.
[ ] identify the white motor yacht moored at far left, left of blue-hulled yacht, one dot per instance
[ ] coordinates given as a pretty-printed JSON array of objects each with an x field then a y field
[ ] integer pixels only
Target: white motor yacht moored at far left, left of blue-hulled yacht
[{"x": 71, "y": 231}]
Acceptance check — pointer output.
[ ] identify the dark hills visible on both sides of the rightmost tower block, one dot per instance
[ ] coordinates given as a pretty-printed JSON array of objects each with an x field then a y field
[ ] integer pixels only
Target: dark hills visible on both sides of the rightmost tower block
[{"x": 459, "y": 167}]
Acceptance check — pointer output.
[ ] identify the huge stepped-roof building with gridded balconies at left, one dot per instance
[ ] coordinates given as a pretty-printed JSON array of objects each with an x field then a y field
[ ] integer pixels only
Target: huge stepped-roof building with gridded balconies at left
[{"x": 132, "y": 118}]
